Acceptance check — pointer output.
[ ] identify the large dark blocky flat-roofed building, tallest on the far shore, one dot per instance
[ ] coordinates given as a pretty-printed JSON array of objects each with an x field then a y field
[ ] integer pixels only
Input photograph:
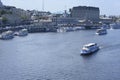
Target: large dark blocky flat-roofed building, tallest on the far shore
[{"x": 85, "y": 13}]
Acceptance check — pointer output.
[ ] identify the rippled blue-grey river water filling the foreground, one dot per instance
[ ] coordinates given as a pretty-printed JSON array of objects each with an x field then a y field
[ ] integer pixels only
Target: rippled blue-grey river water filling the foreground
[{"x": 56, "y": 56}]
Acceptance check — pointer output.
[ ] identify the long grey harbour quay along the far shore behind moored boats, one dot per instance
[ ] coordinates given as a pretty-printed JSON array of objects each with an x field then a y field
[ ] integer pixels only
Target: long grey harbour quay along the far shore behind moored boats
[{"x": 33, "y": 28}]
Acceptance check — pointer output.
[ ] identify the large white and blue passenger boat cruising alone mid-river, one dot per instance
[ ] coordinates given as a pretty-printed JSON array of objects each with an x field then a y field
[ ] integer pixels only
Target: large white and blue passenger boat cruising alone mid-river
[{"x": 89, "y": 48}]
